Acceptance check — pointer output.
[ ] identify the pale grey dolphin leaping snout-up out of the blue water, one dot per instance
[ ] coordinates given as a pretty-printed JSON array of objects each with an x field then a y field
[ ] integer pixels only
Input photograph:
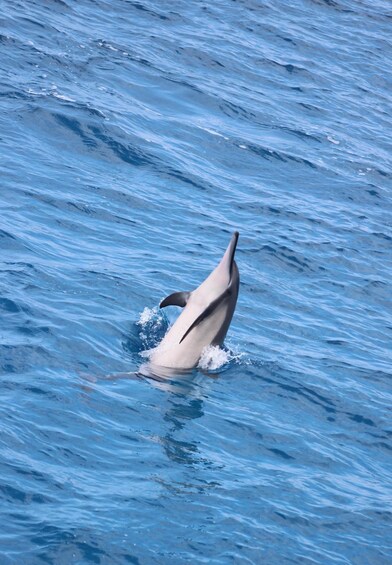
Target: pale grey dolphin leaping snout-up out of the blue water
[{"x": 206, "y": 316}]
